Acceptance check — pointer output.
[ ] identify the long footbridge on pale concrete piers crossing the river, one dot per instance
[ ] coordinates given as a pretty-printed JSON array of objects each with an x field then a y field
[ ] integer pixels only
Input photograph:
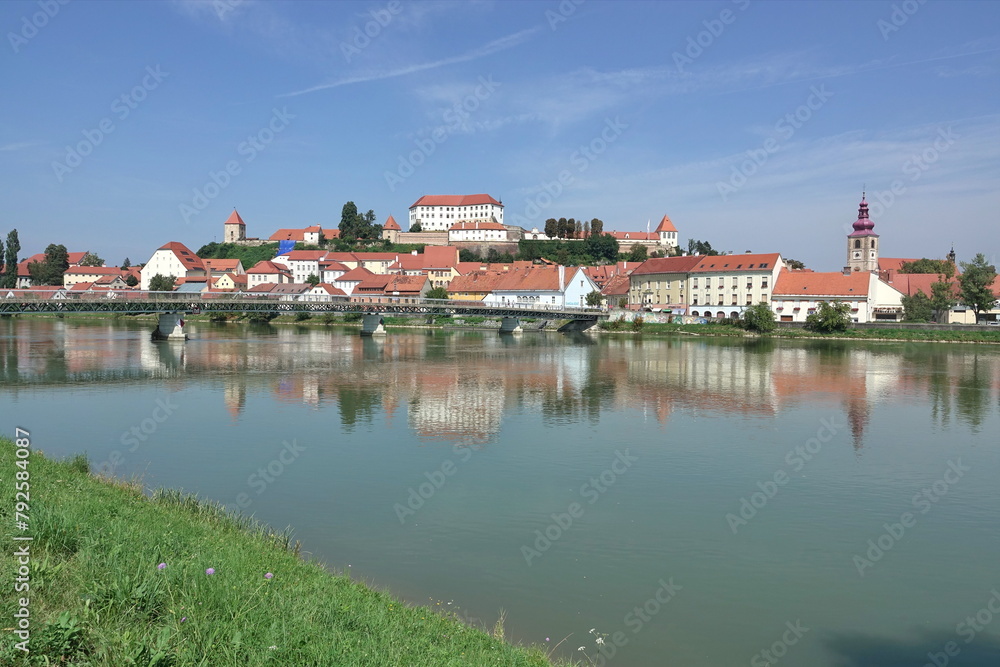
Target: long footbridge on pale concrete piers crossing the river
[{"x": 171, "y": 305}]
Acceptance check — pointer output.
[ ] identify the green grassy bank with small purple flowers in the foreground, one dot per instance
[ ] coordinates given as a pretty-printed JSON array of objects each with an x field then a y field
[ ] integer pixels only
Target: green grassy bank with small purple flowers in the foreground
[{"x": 118, "y": 578}]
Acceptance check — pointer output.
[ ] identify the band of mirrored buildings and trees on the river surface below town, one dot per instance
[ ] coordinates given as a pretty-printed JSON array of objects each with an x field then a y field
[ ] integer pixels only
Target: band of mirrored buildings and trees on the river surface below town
[{"x": 566, "y": 379}]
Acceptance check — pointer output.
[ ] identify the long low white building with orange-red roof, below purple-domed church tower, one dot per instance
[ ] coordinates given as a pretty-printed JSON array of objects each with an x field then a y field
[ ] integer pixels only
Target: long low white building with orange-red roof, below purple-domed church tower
[{"x": 797, "y": 294}]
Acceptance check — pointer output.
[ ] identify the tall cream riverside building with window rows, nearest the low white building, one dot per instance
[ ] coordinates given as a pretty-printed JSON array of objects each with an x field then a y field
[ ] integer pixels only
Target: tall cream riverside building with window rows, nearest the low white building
[{"x": 724, "y": 285}]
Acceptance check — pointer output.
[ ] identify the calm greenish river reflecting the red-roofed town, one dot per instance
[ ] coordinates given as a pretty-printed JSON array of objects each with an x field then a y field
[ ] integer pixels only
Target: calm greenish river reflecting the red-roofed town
[{"x": 696, "y": 501}]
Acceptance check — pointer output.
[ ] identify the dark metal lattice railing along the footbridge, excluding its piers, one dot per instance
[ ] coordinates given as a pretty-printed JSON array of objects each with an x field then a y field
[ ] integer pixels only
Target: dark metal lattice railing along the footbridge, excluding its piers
[{"x": 187, "y": 300}]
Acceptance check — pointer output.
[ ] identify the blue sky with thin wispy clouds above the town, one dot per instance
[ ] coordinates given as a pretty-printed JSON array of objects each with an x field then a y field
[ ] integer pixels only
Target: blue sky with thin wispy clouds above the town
[{"x": 754, "y": 125}]
